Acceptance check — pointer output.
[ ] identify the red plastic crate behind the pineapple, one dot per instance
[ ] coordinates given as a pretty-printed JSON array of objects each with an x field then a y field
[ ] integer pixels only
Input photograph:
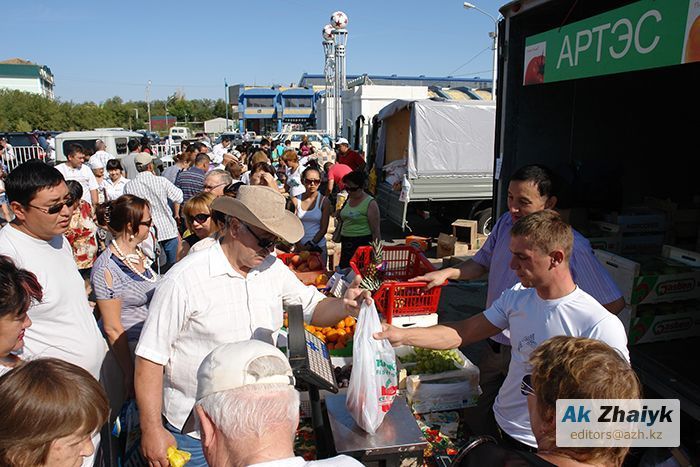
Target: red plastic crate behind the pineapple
[{"x": 400, "y": 298}]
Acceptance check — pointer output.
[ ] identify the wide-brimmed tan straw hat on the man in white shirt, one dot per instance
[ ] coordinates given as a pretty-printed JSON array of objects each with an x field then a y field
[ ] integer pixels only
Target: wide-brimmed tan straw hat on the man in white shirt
[{"x": 264, "y": 208}]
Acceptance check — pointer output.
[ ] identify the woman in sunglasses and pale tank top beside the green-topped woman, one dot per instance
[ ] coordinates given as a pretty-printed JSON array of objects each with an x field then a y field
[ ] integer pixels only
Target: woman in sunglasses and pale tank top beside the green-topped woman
[{"x": 314, "y": 210}]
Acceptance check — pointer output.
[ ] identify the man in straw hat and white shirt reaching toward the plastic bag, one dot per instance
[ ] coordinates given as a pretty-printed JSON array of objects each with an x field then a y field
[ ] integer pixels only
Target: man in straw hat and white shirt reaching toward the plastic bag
[{"x": 234, "y": 291}]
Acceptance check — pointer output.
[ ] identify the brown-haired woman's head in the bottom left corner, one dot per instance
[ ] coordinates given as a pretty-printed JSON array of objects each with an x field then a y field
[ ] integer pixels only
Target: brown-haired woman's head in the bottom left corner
[{"x": 49, "y": 411}]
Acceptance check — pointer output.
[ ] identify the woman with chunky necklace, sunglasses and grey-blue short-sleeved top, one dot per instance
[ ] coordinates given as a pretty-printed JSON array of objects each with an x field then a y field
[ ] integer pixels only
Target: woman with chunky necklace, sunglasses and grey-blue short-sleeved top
[{"x": 123, "y": 280}]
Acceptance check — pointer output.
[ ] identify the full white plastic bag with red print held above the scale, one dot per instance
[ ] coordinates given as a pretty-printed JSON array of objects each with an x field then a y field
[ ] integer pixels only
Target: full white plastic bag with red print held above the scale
[{"x": 373, "y": 381}]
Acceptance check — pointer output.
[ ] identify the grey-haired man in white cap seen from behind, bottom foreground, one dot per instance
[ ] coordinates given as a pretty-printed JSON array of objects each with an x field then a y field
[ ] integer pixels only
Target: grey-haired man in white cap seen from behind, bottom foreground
[{"x": 248, "y": 409}]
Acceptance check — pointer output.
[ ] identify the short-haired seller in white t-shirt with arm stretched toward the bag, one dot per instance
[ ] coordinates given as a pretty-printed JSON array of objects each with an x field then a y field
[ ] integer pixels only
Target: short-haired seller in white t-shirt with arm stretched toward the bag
[{"x": 544, "y": 304}]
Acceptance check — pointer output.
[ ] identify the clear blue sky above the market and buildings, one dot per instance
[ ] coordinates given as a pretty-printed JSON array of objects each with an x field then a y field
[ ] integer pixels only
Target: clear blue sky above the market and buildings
[{"x": 99, "y": 49}]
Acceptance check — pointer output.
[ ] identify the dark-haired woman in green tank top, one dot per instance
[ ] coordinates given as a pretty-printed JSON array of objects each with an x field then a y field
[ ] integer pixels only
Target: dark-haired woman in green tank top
[{"x": 359, "y": 216}]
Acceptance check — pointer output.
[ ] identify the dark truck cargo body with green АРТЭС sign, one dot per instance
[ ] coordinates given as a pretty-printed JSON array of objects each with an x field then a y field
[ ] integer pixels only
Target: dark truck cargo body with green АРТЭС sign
[{"x": 602, "y": 93}]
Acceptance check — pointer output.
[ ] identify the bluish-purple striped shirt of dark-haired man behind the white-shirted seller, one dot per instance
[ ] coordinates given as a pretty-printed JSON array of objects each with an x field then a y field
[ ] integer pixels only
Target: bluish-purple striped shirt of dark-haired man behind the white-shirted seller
[{"x": 586, "y": 271}]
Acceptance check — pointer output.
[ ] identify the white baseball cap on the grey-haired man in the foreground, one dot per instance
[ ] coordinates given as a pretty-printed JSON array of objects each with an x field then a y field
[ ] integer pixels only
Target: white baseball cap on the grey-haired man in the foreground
[{"x": 228, "y": 367}]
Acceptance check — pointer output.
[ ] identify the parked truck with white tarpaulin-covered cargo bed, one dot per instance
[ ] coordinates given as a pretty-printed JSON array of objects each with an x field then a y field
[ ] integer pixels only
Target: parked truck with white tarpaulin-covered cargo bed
[{"x": 435, "y": 157}]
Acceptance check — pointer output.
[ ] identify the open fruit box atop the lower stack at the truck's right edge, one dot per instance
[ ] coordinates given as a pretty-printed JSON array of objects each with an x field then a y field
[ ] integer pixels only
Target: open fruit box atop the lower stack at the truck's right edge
[{"x": 677, "y": 279}]
